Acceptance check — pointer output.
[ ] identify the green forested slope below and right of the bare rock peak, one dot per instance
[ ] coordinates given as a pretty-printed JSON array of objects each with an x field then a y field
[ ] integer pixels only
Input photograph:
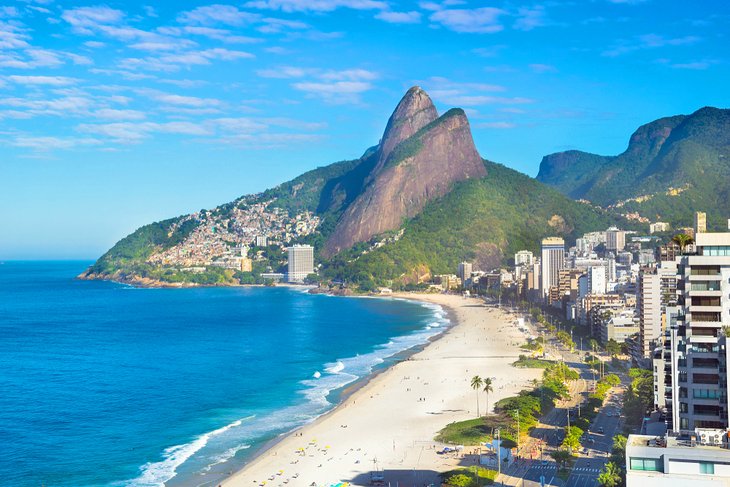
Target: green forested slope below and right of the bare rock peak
[{"x": 485, "y": 221}]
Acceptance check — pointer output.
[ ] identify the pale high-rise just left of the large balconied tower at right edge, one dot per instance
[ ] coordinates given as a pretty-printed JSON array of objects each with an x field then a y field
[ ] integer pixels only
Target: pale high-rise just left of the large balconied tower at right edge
[{"x": 657, "y": 289}]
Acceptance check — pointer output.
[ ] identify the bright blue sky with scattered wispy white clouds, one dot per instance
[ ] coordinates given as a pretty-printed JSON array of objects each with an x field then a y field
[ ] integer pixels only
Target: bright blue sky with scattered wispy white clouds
[{"x": 117, "y": 114}]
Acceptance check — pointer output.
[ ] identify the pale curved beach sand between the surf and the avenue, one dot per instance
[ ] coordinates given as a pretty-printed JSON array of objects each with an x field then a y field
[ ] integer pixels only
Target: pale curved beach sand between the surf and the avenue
[{"x": 389, "y": 424}]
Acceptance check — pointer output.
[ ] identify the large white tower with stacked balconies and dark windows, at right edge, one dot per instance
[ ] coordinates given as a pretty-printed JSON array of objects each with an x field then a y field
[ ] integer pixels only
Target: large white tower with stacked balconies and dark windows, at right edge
[{"x": 695, "y": 354}]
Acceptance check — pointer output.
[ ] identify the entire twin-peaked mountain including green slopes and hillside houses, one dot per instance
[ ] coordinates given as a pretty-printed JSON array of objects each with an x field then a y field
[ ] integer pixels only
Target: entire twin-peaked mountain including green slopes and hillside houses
[{"x": 416, "y": 204}]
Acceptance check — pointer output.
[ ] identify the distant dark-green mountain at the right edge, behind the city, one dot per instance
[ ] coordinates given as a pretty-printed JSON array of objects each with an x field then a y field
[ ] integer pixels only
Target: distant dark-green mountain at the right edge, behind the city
[{"x": 671, "y": 168}]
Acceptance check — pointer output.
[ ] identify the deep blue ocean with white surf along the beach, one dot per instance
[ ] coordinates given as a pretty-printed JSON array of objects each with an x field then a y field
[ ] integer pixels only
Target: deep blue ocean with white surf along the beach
[{"x": 103, "y": 384}]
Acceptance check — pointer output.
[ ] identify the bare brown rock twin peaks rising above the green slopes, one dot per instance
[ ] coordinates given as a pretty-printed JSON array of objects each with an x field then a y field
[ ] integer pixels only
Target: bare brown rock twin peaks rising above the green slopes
[{"x": 420, "y": 157}]
